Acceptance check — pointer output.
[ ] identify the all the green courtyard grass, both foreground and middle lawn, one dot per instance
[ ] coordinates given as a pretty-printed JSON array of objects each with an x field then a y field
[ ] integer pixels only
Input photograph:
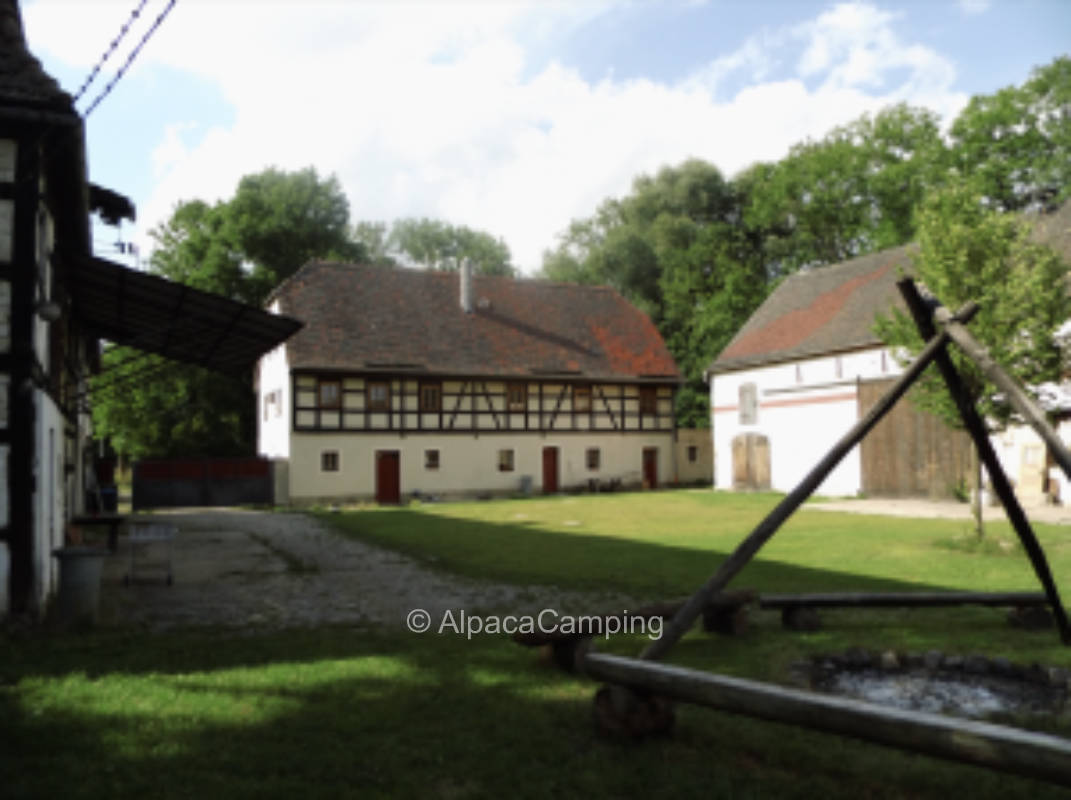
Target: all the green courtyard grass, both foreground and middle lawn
[{"x": 345, "y": 713}]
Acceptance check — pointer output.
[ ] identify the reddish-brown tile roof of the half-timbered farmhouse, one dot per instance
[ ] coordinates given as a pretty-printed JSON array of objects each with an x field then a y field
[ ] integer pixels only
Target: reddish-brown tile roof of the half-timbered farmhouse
[{"x": 360, "y": 319}]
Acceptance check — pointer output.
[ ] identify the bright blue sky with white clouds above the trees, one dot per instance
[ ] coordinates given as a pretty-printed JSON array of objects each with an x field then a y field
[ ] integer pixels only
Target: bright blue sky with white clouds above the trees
[{"x": 507, "y": 117}]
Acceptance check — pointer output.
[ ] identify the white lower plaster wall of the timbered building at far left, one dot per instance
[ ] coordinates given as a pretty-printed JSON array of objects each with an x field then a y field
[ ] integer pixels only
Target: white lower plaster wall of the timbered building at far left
[{"x": 50, "y": 501}]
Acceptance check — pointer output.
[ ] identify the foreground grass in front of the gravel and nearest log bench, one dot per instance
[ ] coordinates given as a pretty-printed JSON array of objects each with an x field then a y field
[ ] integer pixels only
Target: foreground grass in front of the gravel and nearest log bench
[{"x": 338, "y": 714}]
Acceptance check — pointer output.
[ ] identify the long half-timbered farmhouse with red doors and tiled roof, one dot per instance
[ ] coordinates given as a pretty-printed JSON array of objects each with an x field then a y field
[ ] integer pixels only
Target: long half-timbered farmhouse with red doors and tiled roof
[{"x": 406, "y": 383}]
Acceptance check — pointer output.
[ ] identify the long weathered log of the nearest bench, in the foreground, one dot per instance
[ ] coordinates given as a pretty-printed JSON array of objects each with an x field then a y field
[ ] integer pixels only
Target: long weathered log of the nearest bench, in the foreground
[{"x": 986, "y": 745}]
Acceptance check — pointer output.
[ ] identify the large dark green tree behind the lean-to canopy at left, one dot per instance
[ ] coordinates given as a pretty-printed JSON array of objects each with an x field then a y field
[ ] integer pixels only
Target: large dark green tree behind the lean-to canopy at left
[{"x": 240, "y": 249}]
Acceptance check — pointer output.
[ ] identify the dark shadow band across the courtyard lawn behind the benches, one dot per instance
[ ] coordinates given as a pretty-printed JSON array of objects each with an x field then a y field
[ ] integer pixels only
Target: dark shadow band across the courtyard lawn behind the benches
[{"x": 523, "y": 553}]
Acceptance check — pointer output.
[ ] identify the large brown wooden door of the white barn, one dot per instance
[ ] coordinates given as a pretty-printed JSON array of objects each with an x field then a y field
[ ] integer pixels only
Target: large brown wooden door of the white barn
[{"x": 911, "y": 454}]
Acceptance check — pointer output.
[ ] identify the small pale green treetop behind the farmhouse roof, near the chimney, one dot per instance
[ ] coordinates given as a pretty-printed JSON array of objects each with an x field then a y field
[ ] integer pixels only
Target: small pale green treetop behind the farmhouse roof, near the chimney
[{"x": 439, "y": 246}]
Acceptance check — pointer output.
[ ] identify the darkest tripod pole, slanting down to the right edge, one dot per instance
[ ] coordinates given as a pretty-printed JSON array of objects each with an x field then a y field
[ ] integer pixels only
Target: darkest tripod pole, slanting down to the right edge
[{"x": 978, "y": 432}]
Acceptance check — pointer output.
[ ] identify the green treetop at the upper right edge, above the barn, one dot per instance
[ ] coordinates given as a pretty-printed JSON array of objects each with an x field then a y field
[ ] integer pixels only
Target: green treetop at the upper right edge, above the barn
[{"x": 1015, "y": 146}]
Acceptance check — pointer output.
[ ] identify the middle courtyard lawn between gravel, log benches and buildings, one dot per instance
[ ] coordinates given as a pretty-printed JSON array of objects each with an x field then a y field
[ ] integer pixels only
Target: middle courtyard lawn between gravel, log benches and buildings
[{"x": 666, "y": 545}]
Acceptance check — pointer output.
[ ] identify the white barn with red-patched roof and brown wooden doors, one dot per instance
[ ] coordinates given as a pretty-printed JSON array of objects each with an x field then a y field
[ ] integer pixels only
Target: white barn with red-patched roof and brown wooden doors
[{"x": 808, "y": 365}]
